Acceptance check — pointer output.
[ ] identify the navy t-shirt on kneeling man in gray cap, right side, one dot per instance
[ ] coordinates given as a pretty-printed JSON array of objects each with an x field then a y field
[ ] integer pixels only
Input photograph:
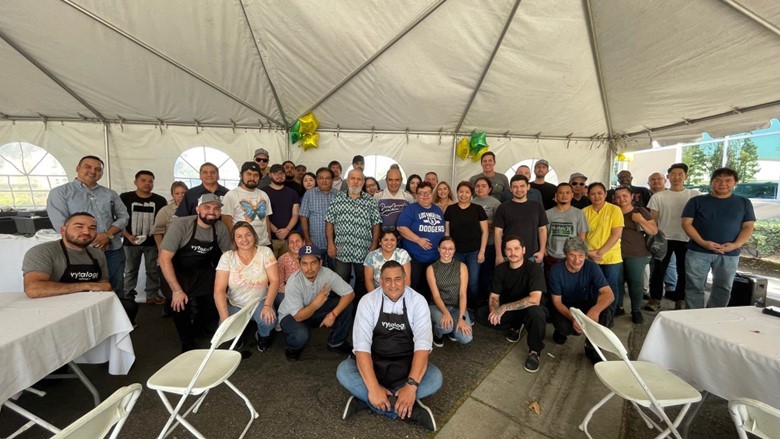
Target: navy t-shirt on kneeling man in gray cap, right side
[{"x": 576, "y": 287}]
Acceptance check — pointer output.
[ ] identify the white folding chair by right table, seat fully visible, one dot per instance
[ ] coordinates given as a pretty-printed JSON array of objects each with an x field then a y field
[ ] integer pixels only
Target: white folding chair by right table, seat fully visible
[{"x": 643, "y": 384}]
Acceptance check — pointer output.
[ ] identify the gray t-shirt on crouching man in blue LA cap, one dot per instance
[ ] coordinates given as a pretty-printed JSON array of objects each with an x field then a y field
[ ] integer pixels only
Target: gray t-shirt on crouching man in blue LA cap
[{"x": 300, "y": 291}]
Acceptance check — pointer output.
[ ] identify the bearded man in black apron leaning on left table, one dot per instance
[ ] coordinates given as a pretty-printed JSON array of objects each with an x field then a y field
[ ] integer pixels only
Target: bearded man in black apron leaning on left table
[{"x": 69, "y": 265}]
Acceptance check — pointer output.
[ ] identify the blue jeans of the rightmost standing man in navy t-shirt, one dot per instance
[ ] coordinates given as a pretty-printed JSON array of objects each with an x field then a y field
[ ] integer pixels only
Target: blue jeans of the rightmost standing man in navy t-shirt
[{"x": 697, "y": 266}]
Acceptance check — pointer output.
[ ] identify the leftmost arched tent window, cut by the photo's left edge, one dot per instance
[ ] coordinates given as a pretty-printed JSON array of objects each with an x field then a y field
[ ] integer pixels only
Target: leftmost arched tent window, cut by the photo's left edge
[{"x": 27, "y": 174}]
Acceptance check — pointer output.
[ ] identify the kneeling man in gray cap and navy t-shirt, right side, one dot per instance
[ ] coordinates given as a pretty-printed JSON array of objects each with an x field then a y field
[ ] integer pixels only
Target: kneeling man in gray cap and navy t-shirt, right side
[{"x": 578, "y": 282}]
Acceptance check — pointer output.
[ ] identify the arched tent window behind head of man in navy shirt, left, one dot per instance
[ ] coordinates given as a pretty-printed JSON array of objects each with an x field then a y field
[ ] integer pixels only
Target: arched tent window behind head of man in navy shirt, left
[{"x": 187, "y": 166}]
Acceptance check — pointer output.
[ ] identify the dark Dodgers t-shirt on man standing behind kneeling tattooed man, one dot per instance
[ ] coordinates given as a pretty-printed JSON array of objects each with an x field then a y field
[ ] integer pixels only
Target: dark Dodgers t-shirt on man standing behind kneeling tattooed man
[{"x": 523, "y": 220}]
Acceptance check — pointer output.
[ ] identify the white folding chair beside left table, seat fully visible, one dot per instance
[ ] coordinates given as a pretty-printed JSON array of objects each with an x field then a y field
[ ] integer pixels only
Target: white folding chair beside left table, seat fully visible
[{"x": 197, "y": 371}]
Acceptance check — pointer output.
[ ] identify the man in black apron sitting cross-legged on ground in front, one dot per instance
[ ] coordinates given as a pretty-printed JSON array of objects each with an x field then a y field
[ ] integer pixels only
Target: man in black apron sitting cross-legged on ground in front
[{"x": 392, "y": 336}]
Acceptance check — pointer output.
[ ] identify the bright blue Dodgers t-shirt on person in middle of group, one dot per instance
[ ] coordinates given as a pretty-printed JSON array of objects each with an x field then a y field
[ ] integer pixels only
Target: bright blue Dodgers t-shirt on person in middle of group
[{"x": 425, "y": 223}]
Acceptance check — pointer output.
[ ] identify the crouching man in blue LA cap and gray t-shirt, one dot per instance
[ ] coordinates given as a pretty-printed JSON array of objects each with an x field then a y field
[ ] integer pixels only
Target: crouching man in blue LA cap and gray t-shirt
[{"x": 315, "y": 296}]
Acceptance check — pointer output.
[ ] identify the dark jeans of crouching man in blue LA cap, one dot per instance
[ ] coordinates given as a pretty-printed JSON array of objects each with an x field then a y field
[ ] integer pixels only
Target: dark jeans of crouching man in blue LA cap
[{"x": 297, "y": 334}]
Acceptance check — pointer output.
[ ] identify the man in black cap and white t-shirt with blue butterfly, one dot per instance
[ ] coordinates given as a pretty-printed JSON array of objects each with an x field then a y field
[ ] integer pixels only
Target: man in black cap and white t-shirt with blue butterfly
[{"x": 250, "y": 204}]
